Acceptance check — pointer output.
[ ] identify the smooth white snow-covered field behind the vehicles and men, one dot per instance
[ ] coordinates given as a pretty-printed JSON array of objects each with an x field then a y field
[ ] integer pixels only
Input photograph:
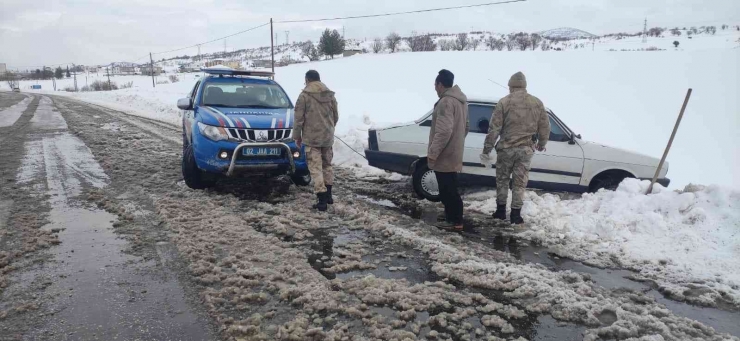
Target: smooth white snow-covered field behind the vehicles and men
[{"x": 623, "y": 99}]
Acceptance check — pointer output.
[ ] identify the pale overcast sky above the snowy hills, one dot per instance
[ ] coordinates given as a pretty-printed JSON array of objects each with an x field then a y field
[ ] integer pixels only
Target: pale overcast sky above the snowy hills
[{"x": 46, "y": 32}]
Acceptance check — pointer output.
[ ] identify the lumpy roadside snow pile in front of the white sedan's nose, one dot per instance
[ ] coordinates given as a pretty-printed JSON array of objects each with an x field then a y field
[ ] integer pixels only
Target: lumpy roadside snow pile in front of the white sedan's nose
[{"x": 689, "y": 237}]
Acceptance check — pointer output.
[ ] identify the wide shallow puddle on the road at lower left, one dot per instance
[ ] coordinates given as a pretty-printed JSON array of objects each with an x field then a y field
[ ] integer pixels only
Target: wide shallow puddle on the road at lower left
[{"x": 103, "y": 292}]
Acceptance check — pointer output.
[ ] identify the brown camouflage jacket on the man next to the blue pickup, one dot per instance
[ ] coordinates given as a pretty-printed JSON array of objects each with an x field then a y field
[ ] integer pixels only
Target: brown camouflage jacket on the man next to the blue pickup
[{"x": 316, "y": 115}]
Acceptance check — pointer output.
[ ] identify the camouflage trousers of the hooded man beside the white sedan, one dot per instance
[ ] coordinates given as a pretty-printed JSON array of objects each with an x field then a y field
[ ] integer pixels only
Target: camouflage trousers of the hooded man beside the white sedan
[{"x": 514, "y": 161}]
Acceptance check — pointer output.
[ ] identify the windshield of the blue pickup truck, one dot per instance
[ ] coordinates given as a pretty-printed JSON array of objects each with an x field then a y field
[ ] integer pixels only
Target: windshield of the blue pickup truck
[{"x": 266, "y": 96}]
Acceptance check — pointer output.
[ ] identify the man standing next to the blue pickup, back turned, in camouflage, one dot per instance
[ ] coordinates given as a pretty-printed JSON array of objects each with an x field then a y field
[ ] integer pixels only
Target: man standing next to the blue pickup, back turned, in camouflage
[{"x": 316, "y": 115}]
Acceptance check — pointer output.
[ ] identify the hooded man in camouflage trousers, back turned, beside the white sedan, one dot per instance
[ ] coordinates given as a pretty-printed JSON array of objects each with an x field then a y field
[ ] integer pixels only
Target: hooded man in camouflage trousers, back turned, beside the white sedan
[{"x": 516, "y": 119}]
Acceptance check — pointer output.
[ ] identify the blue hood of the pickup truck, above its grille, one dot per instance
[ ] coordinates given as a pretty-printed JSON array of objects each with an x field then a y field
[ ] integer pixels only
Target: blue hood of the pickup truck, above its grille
[{"x": 256, "y": 118}]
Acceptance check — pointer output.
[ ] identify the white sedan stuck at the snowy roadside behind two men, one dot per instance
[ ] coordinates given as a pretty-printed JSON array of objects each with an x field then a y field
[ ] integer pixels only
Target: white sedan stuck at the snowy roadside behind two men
[{"x": 570, "y": 163}]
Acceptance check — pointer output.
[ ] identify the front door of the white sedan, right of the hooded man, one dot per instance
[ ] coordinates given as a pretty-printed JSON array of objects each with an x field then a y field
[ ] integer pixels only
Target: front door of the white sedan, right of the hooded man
[{"x": 561, "y": 164}]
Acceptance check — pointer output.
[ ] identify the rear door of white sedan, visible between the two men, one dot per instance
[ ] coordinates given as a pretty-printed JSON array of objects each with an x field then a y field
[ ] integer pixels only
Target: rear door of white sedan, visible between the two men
[{"x": 479, "y": 116}]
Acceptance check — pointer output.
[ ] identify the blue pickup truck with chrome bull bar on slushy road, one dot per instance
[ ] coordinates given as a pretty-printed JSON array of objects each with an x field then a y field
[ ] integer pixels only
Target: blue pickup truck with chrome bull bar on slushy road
[{"x": 238, "y": 123}]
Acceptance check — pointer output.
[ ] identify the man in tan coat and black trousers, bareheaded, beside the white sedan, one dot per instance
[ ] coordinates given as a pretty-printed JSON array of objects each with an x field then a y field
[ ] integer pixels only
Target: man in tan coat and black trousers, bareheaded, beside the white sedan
[{"x": 446, "y": 146}]
